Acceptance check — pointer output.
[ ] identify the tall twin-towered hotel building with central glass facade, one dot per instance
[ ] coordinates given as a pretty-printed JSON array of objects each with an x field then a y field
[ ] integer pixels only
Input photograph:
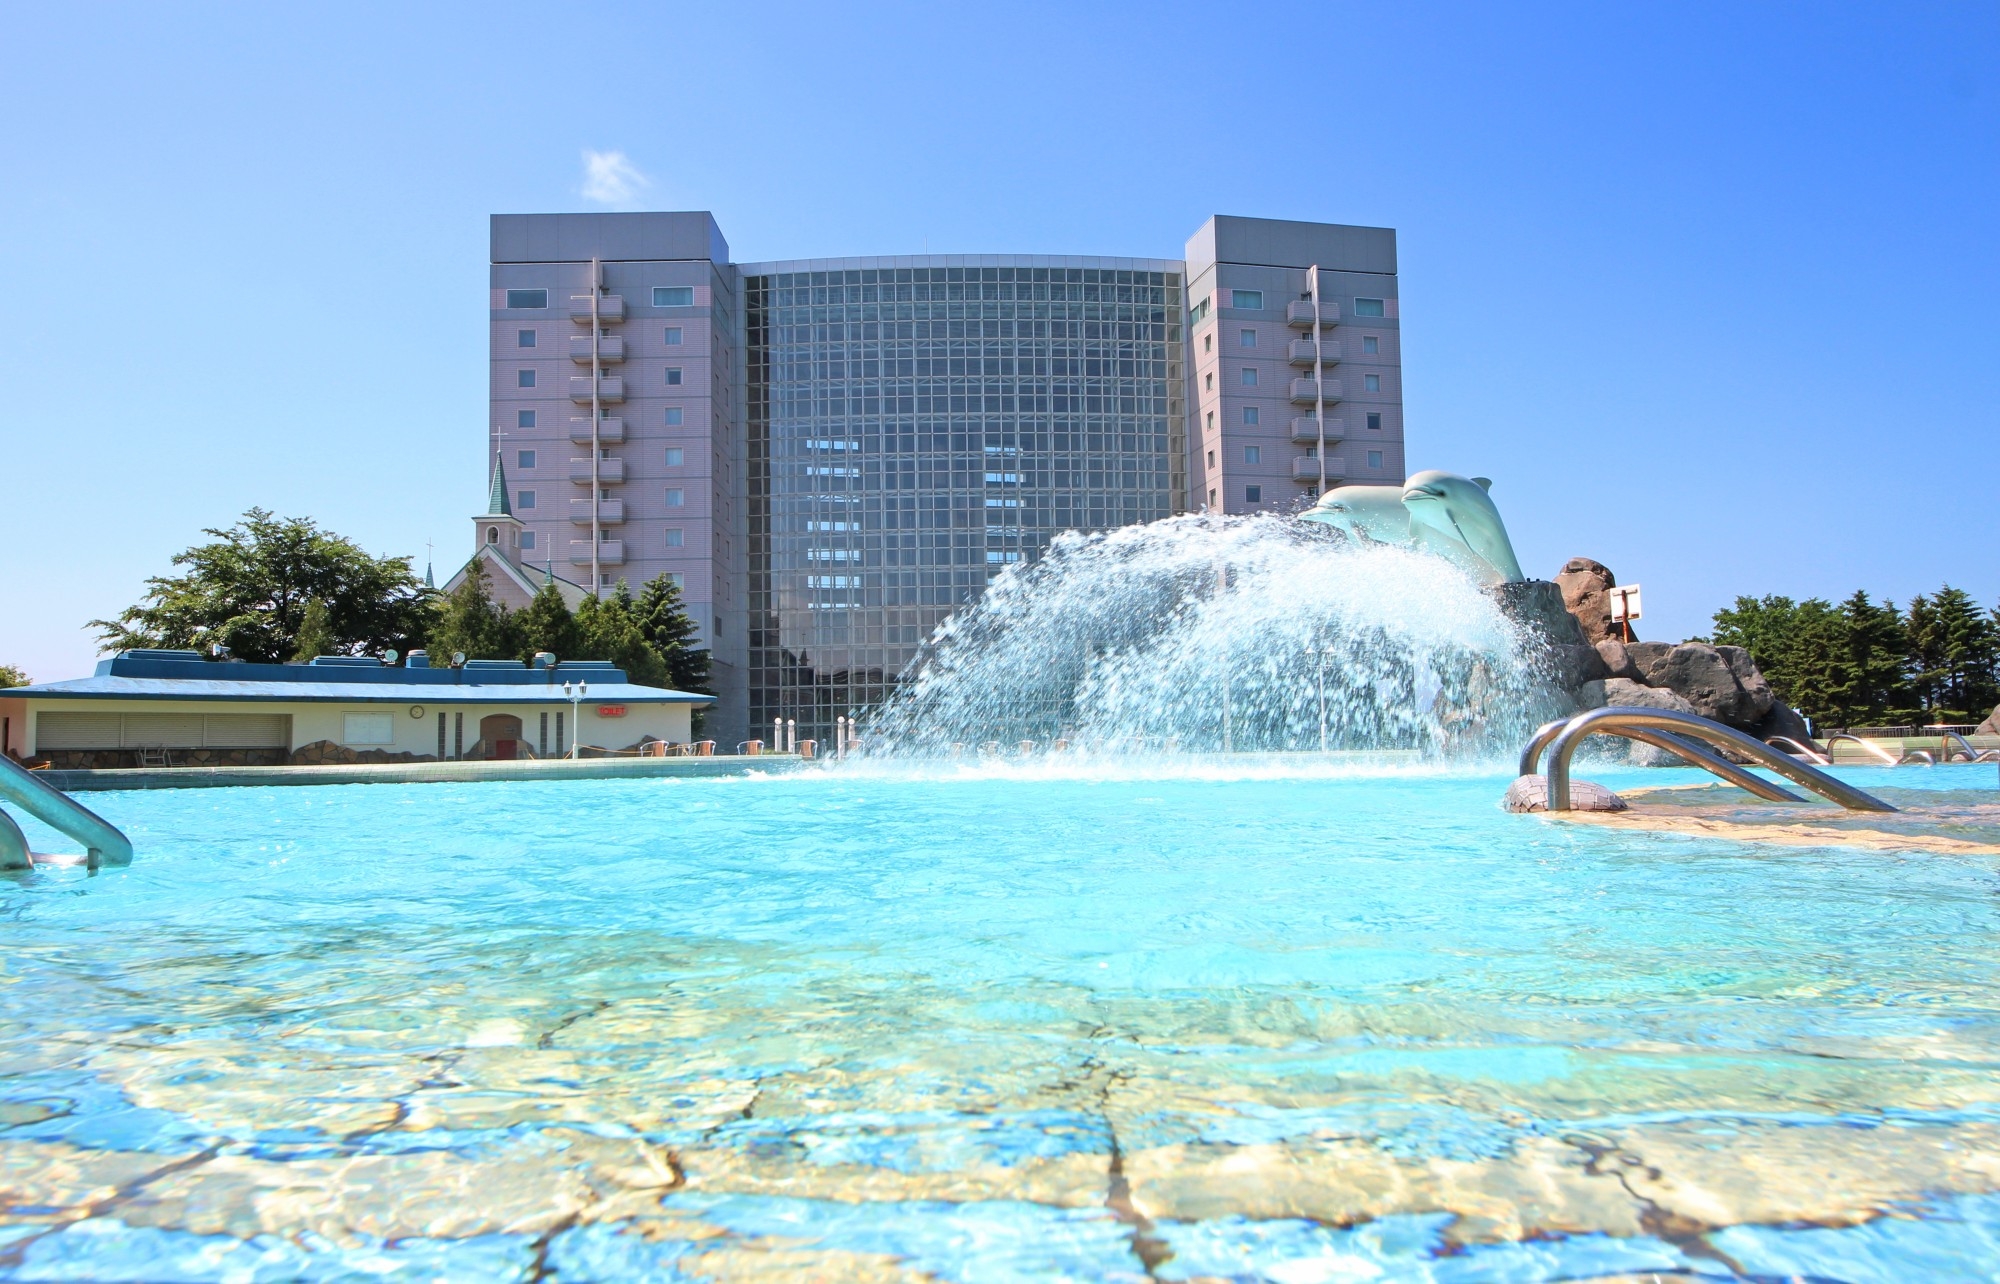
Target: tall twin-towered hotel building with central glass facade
[{"x": 831, "y": 457}]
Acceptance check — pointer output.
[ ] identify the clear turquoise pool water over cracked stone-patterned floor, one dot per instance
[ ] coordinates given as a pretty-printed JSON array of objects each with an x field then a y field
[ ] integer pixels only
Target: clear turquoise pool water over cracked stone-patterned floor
[{"x": 1249, "y": 1025}]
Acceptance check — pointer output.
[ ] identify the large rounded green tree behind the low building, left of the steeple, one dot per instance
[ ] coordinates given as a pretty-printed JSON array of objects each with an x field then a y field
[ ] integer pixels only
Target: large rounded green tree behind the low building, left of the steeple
[{"x": 249, "y": 591}]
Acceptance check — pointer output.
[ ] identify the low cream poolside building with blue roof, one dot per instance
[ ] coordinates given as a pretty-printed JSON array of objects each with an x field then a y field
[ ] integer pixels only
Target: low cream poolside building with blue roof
[{"x": 177, "y": 709}]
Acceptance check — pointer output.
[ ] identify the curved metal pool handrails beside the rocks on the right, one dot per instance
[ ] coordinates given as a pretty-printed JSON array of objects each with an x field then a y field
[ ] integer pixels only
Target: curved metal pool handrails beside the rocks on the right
[{"x": 1683, "y": 737}]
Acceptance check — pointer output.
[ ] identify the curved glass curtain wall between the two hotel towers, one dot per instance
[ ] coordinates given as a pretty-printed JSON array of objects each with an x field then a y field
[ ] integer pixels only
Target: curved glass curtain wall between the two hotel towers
[{"x": 915, "y": 427}]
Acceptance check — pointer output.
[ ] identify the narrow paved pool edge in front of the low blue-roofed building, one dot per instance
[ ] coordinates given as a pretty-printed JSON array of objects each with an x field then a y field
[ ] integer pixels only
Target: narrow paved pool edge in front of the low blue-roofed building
[{"x": 419, "y": 773}]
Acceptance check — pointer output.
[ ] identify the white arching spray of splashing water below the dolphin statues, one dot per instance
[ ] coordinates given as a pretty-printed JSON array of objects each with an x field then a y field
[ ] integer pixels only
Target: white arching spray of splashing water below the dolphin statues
[{"x": 1225, "y": 635}]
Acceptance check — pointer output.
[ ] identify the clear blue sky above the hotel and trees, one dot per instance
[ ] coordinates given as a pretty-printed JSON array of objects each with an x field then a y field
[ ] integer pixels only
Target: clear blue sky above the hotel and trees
[{"x": 1707, "y": 291}]
